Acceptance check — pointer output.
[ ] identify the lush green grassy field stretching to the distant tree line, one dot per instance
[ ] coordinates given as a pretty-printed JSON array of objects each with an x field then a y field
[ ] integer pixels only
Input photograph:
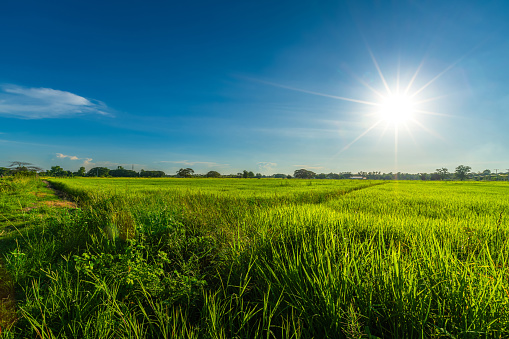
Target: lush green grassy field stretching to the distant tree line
[{"x": 241, "y": 258}]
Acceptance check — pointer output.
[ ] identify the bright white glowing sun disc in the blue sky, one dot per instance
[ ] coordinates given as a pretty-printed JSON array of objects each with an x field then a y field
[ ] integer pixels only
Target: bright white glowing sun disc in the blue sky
[{"x": 396, "y": 109}]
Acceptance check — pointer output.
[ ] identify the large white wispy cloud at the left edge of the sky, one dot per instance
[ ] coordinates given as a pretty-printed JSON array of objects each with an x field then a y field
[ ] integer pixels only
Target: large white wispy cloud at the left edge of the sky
[{"x": 38, "y": 103}]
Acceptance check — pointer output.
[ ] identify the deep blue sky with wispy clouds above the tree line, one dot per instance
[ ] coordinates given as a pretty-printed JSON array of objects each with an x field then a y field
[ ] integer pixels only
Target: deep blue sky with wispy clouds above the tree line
[{"x": 258, "y": 85}]
